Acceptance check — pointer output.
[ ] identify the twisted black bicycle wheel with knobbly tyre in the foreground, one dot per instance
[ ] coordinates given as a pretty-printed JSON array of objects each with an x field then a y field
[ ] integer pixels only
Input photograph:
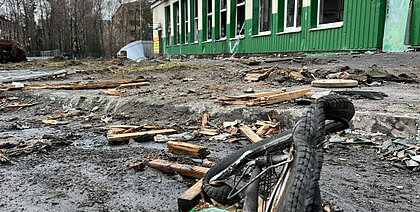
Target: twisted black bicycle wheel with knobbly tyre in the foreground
[{"x": 311, "y": 130}]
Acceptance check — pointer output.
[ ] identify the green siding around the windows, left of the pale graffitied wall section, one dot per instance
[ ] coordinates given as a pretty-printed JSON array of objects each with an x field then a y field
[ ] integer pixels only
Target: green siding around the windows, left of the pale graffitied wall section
[{"x": 362, "y": 30}]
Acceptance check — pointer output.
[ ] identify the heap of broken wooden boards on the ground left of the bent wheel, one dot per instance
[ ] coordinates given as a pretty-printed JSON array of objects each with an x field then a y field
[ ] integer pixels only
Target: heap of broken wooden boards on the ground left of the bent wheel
[{"x": 200, "y": 157}]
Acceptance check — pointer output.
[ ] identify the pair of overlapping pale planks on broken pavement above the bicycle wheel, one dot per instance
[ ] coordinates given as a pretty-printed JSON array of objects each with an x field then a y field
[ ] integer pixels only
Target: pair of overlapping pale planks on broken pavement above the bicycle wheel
[{"x": 266, "y": 98}]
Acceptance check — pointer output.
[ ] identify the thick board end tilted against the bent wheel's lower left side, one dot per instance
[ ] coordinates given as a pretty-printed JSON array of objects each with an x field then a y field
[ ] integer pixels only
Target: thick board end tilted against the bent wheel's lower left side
[{"x": 190, "y": 198}]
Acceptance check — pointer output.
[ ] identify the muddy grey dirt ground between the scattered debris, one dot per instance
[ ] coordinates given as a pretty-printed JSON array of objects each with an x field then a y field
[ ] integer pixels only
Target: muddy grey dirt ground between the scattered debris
[{"x": 78, "y": 170}]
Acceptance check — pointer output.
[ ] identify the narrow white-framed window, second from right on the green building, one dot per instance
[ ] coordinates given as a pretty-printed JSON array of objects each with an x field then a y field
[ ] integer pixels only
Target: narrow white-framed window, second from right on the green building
[{"x": 293, "y": 14}]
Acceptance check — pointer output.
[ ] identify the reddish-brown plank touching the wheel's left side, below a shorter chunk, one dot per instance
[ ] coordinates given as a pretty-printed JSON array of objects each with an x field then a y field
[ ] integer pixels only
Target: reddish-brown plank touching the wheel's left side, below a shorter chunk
[{"x": 197, "y": 172}]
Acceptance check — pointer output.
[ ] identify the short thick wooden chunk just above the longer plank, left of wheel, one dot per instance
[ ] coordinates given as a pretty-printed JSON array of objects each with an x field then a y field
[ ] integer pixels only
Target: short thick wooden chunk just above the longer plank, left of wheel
[{"x": 183, "y": 148}]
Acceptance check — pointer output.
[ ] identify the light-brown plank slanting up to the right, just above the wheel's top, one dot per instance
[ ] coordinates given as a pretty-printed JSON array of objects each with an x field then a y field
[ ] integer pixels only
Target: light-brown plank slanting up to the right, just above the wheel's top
[{"x": 279, "y": 98}]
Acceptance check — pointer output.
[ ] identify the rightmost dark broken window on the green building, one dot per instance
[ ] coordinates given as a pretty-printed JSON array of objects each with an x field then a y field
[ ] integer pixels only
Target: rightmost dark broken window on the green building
[{"x": 330, "y": 11}]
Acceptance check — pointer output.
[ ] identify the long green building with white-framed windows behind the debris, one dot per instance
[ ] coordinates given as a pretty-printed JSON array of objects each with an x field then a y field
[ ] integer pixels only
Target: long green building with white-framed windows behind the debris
[{"x": 268, "y": 26}]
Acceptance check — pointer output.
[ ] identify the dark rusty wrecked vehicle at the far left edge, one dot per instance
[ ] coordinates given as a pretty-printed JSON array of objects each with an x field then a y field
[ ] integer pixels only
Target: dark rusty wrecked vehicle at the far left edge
[{"x": 10, "y": 51}]
